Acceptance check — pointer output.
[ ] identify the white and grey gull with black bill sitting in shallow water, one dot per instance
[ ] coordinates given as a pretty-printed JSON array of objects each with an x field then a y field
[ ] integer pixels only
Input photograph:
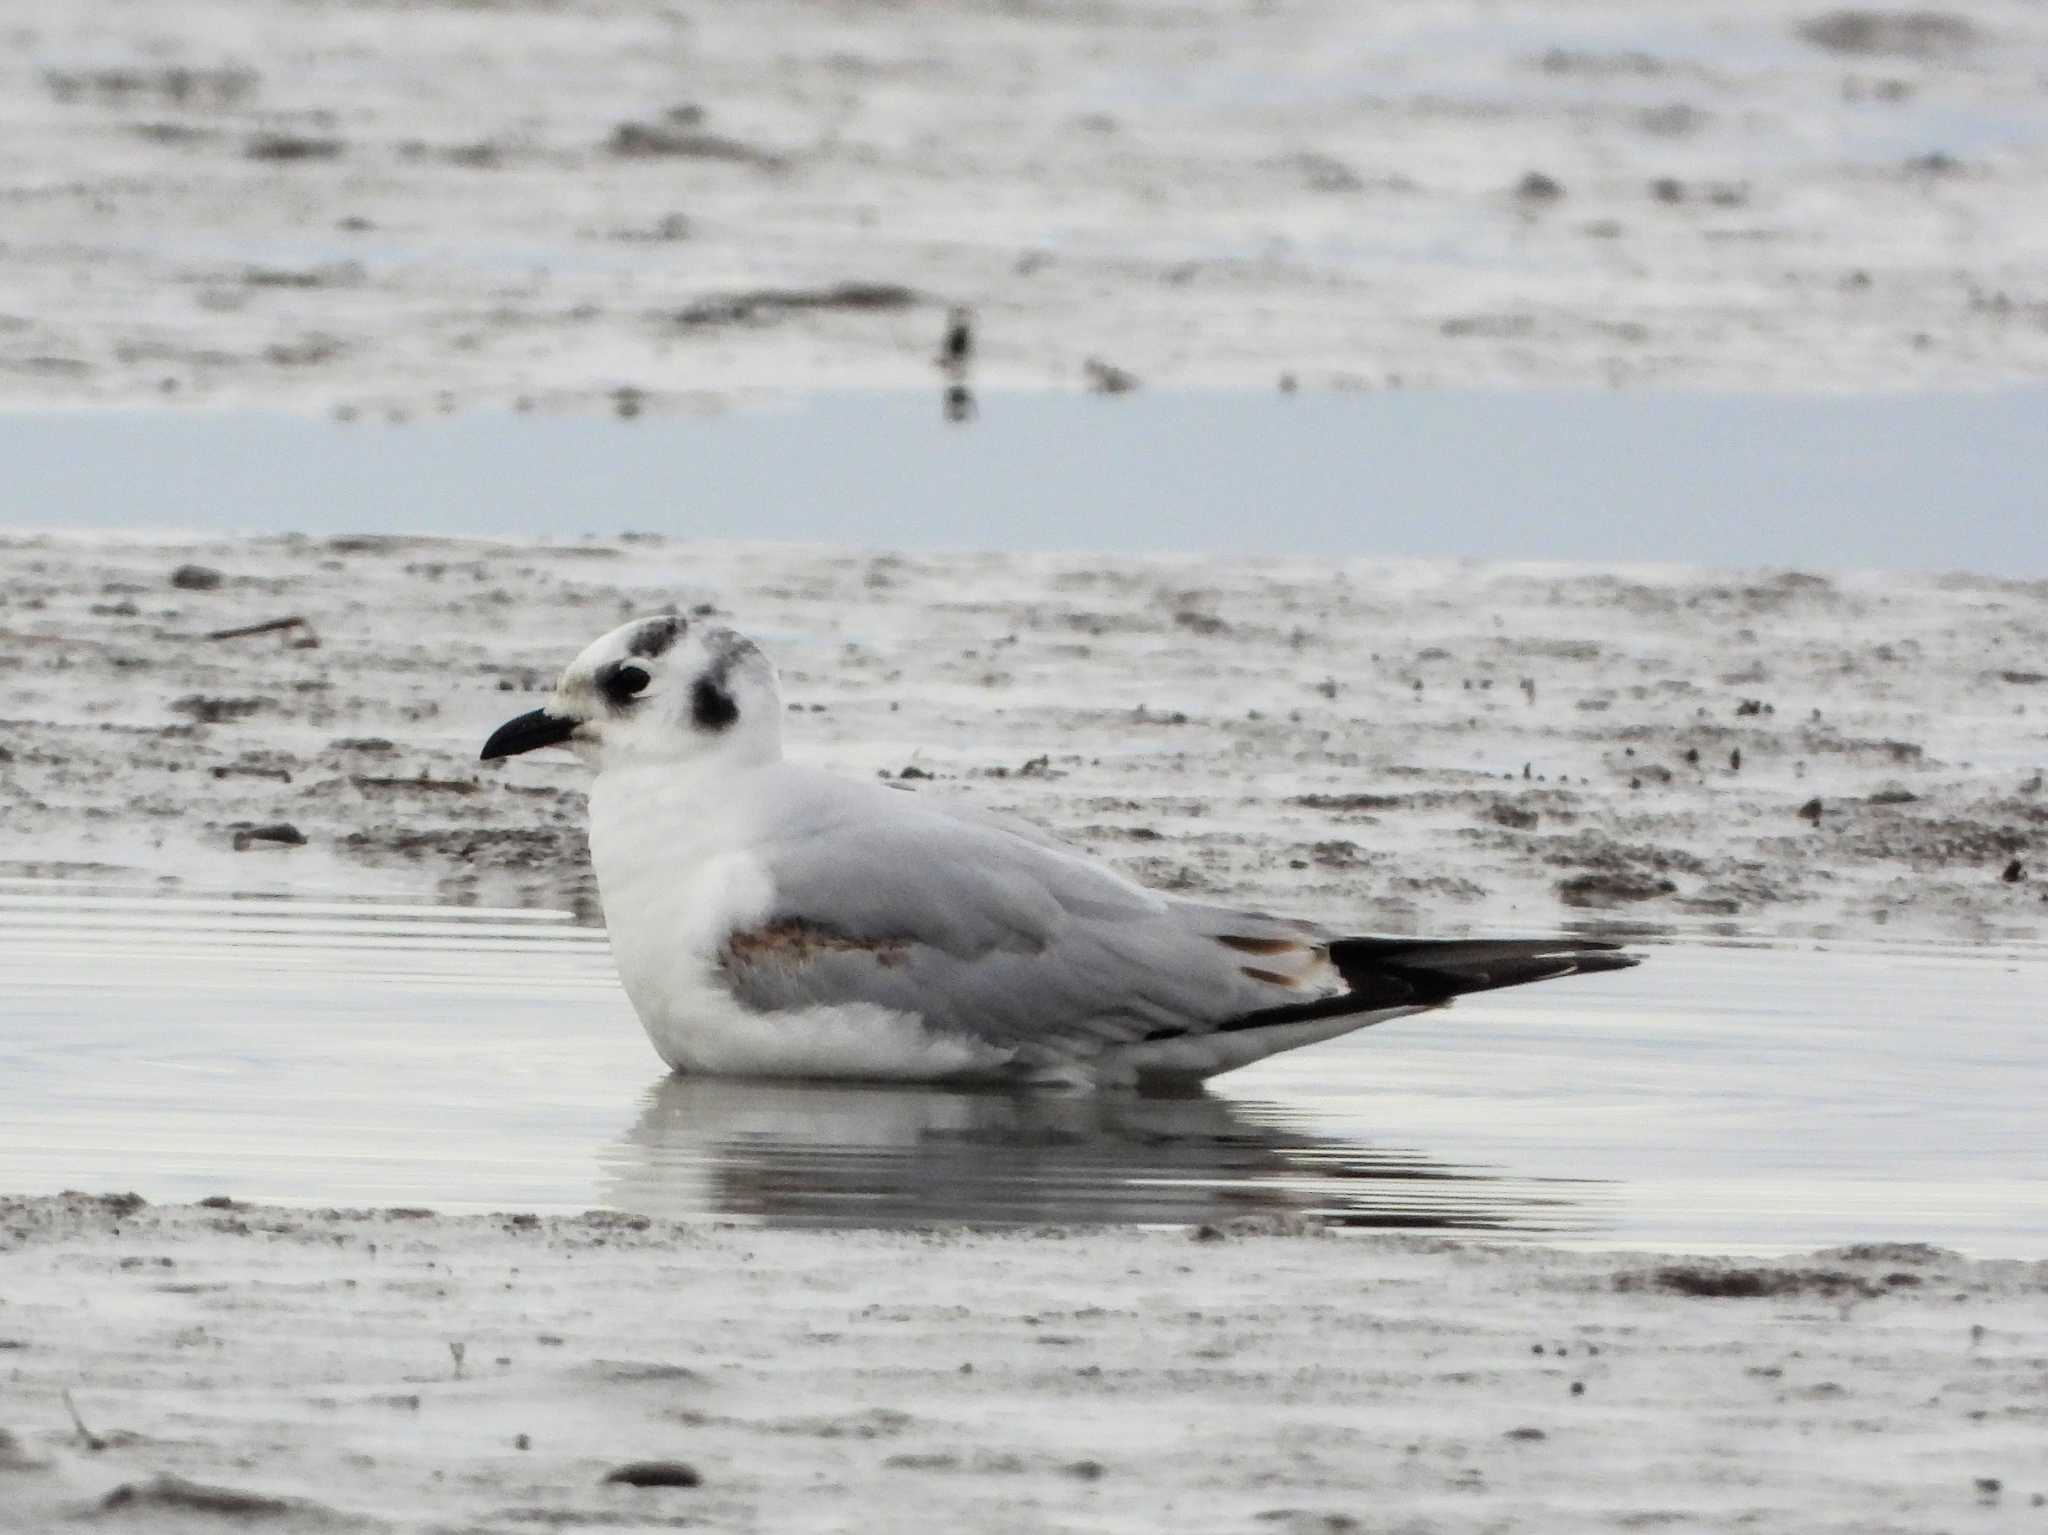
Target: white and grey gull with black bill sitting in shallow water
[{"x": 775, "y": 920}]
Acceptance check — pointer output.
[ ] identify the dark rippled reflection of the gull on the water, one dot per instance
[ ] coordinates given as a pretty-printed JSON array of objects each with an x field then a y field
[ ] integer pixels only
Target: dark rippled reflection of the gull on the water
[{"x": 835, "y": 1155}]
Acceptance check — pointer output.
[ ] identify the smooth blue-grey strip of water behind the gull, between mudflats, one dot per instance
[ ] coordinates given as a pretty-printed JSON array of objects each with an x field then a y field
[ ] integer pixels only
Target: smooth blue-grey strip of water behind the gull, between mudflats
[{"x": 1883, "y": 482}]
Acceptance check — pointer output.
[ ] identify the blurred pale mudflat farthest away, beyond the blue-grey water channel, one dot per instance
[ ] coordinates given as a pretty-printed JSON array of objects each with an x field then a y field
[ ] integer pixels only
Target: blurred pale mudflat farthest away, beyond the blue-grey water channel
[{"x": 591, "y": 206}]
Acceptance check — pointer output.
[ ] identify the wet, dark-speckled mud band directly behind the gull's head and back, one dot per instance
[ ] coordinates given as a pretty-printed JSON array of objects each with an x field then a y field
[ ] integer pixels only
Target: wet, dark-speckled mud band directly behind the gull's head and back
[{"x": 1410, "y": 744}]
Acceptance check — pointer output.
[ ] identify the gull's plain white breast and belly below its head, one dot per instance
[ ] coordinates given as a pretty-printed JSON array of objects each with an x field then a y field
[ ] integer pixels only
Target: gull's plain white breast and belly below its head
[{"x": 677, "y": 875}]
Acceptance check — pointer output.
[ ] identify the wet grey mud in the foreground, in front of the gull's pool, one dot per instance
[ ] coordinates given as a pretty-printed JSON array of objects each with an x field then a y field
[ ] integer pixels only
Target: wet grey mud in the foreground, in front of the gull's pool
[{"x": 259, "y": 1368}]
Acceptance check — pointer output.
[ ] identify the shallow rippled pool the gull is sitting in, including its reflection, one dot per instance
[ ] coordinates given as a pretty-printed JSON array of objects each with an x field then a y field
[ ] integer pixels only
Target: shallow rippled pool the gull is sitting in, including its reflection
[{"x": 353, "y": 1053}]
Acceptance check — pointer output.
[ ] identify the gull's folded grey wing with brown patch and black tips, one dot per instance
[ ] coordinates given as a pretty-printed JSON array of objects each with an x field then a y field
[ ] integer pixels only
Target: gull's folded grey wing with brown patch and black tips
[{"x": 886, "y": 900}]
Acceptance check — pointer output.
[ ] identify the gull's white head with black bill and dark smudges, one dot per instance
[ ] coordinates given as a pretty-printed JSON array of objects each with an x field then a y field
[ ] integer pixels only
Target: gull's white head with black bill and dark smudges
[{"x": 658, "y": 691}]
